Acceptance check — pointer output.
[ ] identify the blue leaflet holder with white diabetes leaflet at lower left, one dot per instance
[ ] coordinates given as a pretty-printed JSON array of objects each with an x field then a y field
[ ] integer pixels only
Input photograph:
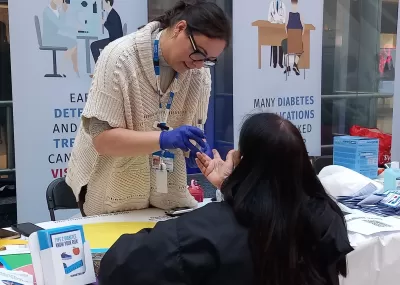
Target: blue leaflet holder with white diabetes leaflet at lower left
[{"x": 68, "y": 243}]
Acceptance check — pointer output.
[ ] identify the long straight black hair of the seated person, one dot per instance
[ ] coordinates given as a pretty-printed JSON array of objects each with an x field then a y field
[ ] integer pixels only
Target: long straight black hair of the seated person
[{"x": 273, "y": 192}]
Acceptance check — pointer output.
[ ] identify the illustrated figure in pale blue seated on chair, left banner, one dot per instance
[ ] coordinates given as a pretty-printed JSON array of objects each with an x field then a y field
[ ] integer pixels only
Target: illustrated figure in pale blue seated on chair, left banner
[{"x": 56, "y": 33}]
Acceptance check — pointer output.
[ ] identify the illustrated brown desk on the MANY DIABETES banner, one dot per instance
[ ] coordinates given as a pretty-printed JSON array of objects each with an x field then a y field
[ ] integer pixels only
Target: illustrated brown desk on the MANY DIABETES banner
[{"x": 270, "y": 34}]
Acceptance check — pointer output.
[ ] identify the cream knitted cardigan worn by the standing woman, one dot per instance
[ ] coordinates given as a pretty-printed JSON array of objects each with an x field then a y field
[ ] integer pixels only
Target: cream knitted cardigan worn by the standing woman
[{"x": 124, "y": 94}]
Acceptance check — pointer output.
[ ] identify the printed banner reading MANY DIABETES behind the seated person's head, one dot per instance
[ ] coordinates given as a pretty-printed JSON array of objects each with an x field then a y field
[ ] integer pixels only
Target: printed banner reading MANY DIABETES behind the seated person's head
[{"x": 277, "y": 47}]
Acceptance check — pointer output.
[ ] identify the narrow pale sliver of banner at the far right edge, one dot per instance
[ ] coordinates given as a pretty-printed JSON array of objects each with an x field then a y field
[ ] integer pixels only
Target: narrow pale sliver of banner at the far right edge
[{"x": 396, "y": 103}]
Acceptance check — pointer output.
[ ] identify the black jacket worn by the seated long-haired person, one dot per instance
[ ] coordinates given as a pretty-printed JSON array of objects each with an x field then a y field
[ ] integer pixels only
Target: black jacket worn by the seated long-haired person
[{"x": 206, "y": 247}]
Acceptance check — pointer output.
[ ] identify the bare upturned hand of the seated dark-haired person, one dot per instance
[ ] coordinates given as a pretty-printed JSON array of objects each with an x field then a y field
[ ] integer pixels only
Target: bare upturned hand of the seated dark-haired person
[{"x": 216, "y": 170}]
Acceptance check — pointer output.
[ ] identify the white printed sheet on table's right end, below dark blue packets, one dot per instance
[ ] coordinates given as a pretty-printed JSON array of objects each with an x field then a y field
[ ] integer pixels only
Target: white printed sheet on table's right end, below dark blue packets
[{"x": 370, "y": 224}]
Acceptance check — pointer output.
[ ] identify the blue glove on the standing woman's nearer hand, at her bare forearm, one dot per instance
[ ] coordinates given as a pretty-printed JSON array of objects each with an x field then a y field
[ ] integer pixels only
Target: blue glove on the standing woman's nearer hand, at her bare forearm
[{"x": 179, "y": 139}]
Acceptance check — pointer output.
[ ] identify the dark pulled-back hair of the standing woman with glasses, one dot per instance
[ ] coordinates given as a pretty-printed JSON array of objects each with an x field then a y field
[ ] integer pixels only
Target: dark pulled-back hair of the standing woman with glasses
[{"x": 202, "y": 17}]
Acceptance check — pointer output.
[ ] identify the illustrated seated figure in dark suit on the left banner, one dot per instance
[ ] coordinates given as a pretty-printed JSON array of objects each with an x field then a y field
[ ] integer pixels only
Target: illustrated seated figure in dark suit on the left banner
[{"x": 113, "y": 25}]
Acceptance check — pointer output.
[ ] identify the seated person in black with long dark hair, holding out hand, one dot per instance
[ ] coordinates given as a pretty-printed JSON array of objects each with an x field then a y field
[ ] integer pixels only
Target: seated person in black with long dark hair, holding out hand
[{"x": 276, "y": 225}]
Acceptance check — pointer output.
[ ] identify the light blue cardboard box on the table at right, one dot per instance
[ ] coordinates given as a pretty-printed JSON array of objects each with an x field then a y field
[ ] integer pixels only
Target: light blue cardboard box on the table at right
[{"x": 357, "y": 153}]
